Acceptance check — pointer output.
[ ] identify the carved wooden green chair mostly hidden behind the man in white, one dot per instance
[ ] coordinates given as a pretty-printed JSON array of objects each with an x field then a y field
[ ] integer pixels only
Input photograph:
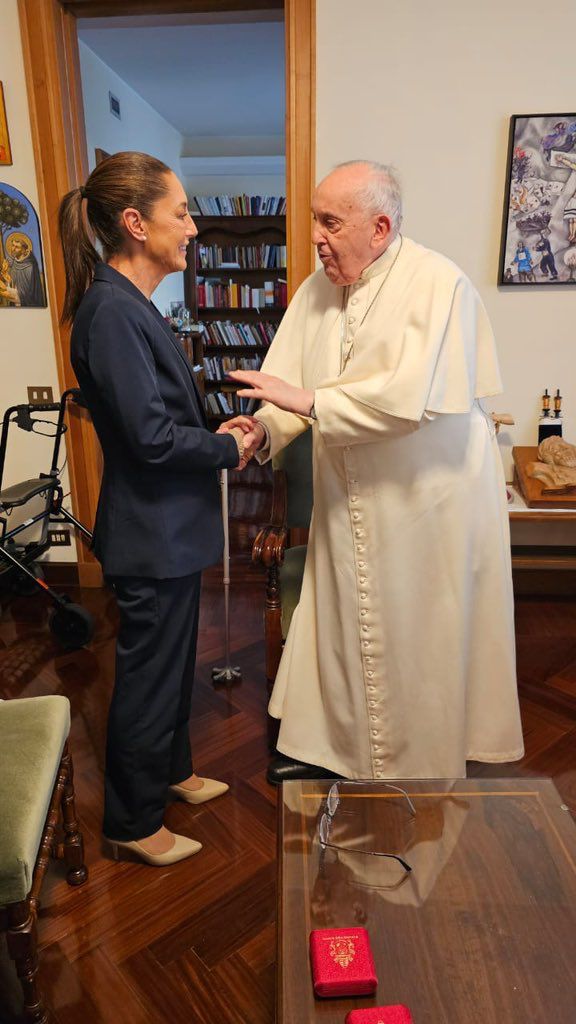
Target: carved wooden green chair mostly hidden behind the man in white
[{"x": 281, "y": 545}]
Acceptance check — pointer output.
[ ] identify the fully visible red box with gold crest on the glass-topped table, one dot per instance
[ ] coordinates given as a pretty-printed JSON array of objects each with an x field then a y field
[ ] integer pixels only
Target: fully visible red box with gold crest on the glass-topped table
[{"x": 342, "y": 962}]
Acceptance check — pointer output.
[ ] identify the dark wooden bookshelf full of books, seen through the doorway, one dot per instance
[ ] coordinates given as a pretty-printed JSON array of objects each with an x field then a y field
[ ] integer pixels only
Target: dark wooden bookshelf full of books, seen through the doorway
[{"x": 231, "y": 335}]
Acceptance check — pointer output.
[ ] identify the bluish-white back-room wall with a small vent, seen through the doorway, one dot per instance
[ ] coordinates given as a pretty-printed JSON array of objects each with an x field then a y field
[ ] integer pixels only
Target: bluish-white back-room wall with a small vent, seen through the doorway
[{"x": 141, "y": 130}]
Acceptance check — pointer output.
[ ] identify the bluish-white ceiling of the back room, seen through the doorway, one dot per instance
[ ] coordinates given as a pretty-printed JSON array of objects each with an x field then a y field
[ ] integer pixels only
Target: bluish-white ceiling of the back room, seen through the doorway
[{"x": 205, "y": 79}]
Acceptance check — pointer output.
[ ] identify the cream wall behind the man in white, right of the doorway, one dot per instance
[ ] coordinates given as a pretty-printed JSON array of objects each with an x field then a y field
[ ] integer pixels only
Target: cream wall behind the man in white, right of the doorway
[{"x": 431, "y": 89}]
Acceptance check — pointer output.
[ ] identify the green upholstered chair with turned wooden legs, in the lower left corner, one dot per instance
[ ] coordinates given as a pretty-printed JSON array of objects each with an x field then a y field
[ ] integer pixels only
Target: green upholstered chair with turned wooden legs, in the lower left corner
[{"x": 36, "y": 786}]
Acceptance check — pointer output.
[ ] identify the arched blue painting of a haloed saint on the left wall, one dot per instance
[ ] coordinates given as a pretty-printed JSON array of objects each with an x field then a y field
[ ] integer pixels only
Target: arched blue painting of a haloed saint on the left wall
[{"x": 22, "y": 268}]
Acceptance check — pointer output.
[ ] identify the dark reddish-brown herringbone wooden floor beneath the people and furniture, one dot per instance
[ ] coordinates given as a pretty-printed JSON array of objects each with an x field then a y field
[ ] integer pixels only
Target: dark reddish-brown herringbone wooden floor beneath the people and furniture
[{"x": 195, "y": 944}]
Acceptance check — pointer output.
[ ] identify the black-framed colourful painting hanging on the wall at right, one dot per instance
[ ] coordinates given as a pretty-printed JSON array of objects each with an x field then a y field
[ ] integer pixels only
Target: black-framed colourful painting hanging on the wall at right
[{"x": 539, "y": 244}]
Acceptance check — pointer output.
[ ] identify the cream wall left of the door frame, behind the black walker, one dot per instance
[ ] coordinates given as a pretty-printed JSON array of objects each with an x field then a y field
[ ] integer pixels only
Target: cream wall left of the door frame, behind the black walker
[{"x": 27, "y": 345}]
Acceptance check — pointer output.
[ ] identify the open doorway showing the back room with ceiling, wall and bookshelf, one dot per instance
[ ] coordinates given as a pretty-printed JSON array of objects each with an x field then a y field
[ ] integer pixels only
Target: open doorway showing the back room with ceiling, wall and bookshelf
[{"x": 205, "y": 94}]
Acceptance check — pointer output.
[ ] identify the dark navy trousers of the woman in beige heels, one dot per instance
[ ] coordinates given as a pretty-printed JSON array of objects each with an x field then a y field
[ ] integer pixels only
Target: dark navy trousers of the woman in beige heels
[{"x": 148, "y": 744}]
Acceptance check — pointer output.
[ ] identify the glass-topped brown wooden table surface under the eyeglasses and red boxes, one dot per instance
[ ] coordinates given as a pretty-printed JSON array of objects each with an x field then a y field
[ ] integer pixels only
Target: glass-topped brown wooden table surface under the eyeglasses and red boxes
[{"x": 482, "y": 931}]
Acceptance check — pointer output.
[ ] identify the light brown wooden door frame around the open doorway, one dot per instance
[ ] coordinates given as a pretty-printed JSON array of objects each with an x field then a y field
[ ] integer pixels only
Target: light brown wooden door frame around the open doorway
[{"x": 55, "y": 93}]
